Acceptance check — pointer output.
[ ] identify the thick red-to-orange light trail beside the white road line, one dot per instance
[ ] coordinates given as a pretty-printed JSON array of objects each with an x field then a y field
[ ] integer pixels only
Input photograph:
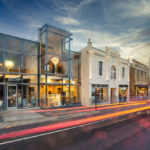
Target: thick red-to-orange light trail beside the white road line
[{"x": 68, "y": 124}]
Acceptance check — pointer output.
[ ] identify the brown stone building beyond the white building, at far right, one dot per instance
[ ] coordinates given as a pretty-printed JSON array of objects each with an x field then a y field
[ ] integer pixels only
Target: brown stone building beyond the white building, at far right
[{"x": 138, "y": 80}]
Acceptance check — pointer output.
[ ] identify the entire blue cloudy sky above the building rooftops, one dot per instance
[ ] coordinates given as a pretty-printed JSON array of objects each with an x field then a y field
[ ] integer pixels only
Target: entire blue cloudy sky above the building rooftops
[{"x": 123, "y": 25}]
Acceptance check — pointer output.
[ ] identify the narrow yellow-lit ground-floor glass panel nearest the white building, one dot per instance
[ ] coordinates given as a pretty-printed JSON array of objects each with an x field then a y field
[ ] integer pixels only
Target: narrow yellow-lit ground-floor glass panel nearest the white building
[{"x": 74, "y": 94}]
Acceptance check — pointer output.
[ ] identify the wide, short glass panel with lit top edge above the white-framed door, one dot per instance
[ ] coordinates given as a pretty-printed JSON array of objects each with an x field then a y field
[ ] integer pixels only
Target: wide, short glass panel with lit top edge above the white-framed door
[{"x": 13, "y": 78}]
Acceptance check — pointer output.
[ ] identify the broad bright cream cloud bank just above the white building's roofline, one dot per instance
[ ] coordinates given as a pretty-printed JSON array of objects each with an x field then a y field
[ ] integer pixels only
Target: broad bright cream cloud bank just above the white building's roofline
[{"x": 128, "y": 44}]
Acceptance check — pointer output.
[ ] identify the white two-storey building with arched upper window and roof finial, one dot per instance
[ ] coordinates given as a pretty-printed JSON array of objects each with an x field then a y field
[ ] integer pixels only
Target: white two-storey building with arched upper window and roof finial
[{"x": 104, "y": 76}]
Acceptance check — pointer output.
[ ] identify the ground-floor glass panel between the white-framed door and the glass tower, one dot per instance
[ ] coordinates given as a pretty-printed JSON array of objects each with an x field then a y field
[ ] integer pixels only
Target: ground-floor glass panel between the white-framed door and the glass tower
[{"x": 29, "y": 95}]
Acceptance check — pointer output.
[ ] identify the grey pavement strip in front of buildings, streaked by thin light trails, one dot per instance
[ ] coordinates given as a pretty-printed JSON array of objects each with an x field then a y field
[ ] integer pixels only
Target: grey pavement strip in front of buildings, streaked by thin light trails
[{"x": 19, "y": 117}]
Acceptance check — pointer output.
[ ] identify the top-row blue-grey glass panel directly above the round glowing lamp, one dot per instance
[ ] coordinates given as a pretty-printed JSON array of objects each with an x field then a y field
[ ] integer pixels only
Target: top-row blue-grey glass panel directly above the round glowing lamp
[{"x": 13, "y": 44}]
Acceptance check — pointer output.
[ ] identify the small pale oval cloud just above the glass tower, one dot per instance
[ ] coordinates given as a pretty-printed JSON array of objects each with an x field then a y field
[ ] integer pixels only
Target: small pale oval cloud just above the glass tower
[{"x": 67, "y": 20}]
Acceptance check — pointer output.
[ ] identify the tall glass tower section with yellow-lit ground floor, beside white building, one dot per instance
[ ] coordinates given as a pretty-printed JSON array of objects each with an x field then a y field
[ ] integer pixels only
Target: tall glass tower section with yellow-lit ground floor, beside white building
[{"x": 59, "y": 68}]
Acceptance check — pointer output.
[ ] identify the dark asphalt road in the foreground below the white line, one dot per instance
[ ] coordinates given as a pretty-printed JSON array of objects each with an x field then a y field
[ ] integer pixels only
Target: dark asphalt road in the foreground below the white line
[{"x": 90, "y": 137}]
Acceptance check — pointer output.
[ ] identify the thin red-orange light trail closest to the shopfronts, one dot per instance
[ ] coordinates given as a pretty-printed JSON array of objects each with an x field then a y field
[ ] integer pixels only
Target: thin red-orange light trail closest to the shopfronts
[{"x": 81, "y": 107}]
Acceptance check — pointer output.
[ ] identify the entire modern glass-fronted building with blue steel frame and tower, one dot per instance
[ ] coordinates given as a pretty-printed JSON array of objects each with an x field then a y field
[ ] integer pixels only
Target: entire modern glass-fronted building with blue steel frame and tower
[{"x": 43, "y": 73}]
